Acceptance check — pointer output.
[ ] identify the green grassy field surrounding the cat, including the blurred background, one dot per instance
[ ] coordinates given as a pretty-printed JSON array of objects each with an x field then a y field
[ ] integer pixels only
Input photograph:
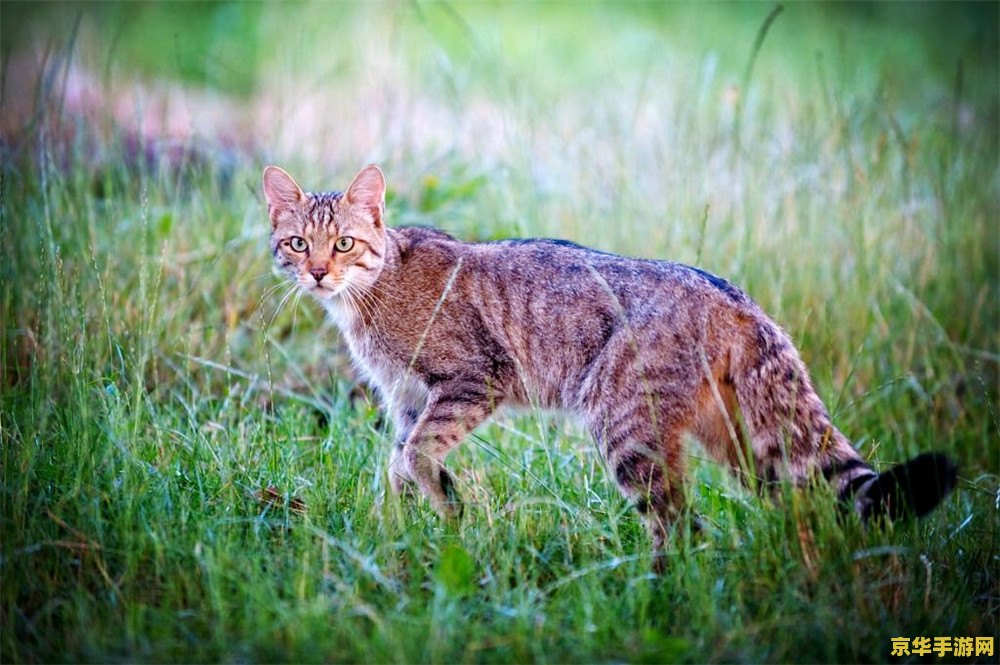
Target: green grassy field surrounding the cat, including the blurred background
[{"x": 157, "y": 385}]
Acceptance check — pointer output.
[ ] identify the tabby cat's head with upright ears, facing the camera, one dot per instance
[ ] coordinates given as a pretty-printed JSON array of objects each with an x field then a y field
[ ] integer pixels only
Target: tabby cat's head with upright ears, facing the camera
[{"x": 328, "y": 242}]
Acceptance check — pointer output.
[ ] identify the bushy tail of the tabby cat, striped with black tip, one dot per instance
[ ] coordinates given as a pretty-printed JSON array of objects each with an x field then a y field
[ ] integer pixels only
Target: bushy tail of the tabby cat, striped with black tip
[{"x": 791, "y": 433}]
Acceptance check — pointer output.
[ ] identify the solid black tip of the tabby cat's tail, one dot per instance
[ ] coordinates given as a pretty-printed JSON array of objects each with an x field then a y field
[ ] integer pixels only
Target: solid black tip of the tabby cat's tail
[{"x": 913, "y": 488}]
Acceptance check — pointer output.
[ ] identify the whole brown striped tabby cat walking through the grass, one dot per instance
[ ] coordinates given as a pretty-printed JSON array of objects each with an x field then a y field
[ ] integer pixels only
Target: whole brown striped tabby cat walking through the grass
[{"x": 643, "y": 352}]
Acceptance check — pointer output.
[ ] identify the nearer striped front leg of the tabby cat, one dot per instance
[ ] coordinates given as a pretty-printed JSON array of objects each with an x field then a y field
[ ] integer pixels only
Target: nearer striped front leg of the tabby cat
[{"x": 454, "y": 409}]
